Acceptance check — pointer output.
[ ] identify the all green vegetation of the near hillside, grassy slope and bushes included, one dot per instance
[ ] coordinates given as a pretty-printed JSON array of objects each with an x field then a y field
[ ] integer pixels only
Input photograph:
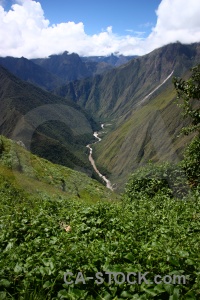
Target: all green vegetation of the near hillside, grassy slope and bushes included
[{"x": 54, "y": 220}]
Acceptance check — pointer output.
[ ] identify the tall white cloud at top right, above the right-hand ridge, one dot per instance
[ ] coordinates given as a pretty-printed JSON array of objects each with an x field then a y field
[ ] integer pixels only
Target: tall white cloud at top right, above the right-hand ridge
[{"x": 177, "y": 20}]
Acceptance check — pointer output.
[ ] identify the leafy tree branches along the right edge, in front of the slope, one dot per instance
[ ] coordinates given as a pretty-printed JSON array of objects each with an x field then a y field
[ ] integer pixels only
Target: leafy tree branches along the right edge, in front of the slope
[{"x": 189, "y": 92}]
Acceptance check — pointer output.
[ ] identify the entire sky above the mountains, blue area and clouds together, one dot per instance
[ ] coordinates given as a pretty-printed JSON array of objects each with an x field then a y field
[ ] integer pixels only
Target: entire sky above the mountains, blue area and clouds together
[{"x": 32, "y": 28}]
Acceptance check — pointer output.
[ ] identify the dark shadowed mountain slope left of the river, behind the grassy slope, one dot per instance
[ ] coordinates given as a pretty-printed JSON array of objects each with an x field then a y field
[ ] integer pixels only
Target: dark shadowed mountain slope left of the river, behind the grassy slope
[{"x": 50, "y": 126}]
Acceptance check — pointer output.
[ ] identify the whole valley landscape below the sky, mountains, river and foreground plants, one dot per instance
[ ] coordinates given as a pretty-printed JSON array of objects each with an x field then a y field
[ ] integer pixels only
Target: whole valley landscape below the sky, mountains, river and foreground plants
[{"x": 99, "y": 172}]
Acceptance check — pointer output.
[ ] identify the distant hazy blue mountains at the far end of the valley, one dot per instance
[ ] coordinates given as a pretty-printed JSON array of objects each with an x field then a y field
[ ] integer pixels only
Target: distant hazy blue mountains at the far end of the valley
[{"x": 52, "y": 72}]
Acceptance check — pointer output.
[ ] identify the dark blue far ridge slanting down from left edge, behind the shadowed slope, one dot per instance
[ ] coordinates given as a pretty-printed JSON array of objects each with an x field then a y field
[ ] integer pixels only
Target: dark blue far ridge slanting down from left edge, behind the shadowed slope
[{"x": 28, "y": 71}]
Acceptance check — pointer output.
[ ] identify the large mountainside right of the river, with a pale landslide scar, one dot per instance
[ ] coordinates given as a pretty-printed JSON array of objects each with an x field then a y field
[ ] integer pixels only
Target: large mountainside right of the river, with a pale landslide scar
[{"x": 138, "y": 100}]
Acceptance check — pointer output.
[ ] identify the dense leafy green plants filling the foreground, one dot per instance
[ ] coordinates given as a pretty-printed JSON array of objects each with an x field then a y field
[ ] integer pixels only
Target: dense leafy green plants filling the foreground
[{"x": 156, "y": 234}]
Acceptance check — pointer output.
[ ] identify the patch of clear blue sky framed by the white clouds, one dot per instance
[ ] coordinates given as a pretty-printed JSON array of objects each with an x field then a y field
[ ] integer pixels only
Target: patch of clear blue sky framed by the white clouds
[{"x": 136, "y": 16}]
